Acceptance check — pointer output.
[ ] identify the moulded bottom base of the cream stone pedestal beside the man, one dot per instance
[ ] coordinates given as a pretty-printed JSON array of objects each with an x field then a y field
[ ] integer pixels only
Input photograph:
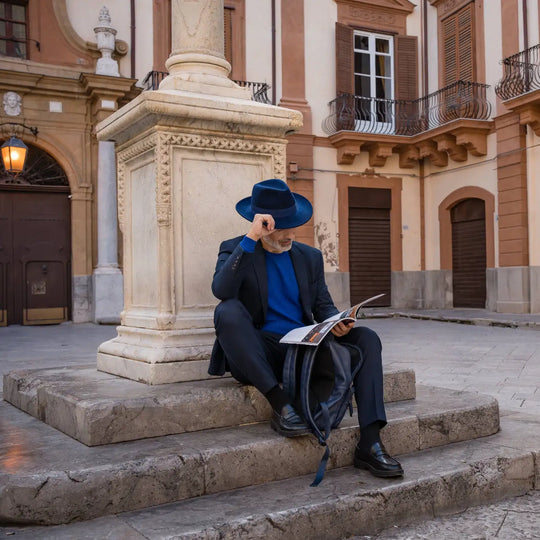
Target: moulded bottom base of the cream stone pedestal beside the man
[{"x": 157, "y": 356}]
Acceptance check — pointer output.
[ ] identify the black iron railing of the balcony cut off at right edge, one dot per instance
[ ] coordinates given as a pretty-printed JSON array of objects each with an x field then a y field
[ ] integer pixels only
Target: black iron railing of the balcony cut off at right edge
[{"x": 521, "y": 74}]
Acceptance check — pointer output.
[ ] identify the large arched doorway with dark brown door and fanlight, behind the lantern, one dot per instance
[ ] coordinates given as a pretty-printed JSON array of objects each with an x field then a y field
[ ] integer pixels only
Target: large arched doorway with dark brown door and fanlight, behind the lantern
[{"x": 35, "y": 243}]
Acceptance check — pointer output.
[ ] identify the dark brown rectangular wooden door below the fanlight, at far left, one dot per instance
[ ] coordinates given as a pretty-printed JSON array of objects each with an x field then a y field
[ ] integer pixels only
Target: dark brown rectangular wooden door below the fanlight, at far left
[{"x": 35, "y": 259}]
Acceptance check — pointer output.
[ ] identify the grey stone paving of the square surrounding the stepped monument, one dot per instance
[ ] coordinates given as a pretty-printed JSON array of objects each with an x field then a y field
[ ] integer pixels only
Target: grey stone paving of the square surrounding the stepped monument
[{"x": 502, "y": 360}]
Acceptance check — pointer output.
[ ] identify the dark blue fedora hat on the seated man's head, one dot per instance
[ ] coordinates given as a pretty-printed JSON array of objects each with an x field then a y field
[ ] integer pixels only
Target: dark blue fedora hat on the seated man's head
[{"x": 274, "y": 197}]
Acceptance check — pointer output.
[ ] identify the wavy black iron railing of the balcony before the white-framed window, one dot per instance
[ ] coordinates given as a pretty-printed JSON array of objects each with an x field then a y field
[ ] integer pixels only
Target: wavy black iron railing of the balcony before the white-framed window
[{"x": 461, "y": 99}]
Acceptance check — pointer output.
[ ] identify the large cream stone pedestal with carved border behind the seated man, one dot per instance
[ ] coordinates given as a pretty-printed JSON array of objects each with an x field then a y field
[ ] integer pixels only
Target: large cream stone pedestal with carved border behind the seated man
[{"x": 184, "y": 160}]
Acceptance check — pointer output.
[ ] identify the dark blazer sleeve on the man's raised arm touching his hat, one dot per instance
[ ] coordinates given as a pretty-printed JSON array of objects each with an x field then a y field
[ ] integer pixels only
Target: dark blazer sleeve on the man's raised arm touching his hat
[{"x": 230, "y": 268}]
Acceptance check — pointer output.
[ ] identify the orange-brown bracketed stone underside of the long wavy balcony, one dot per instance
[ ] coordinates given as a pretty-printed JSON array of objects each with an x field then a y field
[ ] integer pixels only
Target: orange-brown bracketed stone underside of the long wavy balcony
[{"x": 455, "y": 140}]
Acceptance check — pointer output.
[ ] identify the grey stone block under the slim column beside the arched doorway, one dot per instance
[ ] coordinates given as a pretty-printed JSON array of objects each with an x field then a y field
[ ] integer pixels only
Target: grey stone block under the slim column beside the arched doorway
[{"x": 108, "y": 285}]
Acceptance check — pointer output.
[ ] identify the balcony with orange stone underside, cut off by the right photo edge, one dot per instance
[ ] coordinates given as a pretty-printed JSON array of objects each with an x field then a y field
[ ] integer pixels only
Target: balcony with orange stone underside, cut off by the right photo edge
[{"x": 520, "y": 86}]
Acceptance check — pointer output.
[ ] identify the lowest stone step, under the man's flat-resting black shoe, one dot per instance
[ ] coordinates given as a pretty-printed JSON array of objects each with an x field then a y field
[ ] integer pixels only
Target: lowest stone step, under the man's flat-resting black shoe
[{"x": 351, "y": 503}]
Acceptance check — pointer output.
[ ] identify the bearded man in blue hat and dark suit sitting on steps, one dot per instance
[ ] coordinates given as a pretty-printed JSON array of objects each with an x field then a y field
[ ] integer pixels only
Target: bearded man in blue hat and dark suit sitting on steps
[{"x": 269, "y": 284}]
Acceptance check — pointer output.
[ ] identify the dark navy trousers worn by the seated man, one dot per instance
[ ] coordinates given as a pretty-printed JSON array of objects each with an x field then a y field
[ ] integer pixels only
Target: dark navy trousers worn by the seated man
[{"x": 256, "y": 357}]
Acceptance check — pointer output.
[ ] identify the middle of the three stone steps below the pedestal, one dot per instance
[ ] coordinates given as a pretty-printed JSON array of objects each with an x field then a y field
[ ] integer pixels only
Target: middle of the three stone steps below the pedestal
[{"x": 50, "y": 478}]
